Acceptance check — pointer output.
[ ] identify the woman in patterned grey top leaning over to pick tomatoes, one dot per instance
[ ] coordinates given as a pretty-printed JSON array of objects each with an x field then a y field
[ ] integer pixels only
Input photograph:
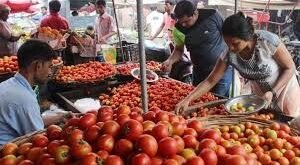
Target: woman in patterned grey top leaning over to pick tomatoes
[{"x": 259, "y": 56}]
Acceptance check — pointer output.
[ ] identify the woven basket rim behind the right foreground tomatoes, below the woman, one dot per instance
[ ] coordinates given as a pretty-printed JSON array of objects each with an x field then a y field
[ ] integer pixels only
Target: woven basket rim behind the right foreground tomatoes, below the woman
[{"x": 220, "y": 120}]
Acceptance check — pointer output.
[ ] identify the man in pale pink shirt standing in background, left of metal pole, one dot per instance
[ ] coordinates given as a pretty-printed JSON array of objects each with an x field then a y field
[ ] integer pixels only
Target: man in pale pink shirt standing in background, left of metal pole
[{"x": 105, "y": 26}]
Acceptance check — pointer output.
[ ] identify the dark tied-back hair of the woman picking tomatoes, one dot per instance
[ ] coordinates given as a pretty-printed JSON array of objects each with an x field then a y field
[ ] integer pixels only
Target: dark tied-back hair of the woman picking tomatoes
[{"x": 238, "y": 25}]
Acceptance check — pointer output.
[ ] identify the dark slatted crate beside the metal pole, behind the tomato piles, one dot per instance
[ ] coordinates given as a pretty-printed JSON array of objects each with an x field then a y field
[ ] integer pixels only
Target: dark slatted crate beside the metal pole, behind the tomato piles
[{"x": 130, "y": 52}]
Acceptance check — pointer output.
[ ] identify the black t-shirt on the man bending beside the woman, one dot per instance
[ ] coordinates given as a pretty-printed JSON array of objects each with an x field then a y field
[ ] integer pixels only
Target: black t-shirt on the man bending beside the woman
[{"x": 204, "y": 40}]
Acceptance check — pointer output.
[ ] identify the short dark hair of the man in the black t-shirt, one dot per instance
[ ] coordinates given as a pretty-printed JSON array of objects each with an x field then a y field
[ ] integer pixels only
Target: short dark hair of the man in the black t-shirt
[{"x": 184, "y": 8}]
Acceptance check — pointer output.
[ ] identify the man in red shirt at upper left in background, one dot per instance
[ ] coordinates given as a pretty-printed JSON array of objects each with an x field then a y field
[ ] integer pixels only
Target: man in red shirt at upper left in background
[{"x": 54, "y": 20}]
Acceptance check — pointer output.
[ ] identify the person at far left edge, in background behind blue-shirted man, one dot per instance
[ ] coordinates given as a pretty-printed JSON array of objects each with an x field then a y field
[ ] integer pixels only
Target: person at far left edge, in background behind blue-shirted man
[{"x": 8, "y": 42}]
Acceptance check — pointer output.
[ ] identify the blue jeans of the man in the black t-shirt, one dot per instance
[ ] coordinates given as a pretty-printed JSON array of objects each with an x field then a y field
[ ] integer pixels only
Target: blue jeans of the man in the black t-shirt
[{"x": 221, "y": 88}]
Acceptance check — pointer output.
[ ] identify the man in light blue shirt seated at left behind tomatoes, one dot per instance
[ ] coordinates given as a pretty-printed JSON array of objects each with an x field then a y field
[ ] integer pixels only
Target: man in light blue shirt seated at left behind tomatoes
[{"x": 19, "y": 109}]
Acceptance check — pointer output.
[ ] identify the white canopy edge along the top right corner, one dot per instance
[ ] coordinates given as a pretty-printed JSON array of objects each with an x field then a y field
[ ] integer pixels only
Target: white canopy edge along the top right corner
[{"x": 260, "y": 4}]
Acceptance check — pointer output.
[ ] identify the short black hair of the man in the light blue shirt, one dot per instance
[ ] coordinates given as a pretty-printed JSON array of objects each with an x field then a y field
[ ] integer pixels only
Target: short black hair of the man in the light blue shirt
[{"x": 33, "y": 50}]
